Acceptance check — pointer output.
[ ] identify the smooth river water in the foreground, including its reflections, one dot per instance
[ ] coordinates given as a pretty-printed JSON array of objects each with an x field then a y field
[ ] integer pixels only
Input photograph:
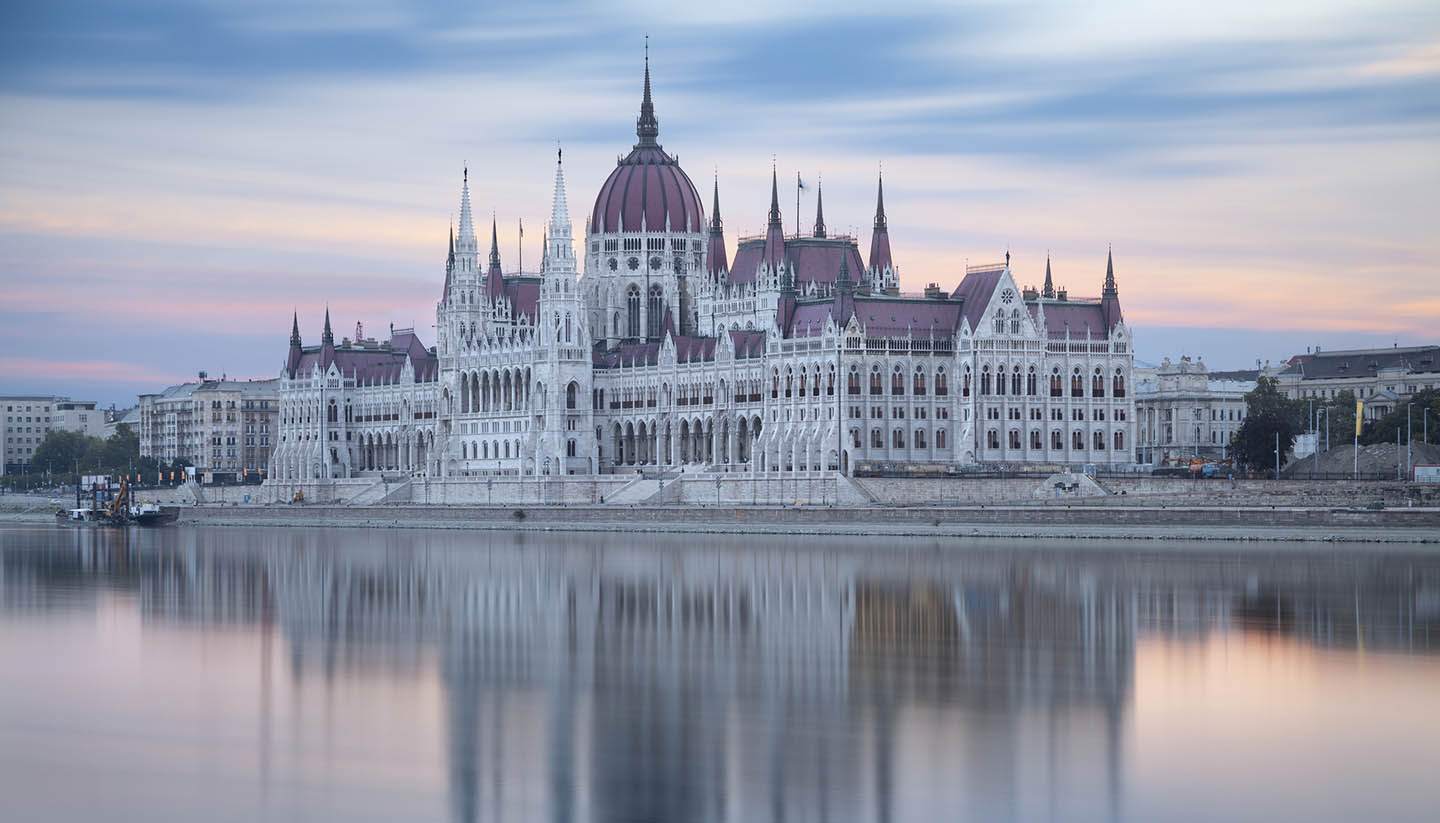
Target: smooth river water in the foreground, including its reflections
[{"x": 256, "y": 674}]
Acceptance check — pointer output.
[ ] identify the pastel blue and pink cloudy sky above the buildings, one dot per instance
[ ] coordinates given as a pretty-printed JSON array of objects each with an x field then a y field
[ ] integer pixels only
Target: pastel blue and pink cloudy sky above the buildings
[{"x": 179, "y": 176}]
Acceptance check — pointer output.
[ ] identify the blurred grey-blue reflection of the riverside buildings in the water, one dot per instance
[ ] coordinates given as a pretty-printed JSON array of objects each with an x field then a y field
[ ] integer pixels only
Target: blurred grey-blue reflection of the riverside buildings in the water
[{"x": 601, "y": 681}]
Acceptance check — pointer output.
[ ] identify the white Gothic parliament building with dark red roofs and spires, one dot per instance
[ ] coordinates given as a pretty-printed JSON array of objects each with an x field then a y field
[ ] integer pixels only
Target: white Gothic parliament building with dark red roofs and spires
[{"x": 796, "y": 355}]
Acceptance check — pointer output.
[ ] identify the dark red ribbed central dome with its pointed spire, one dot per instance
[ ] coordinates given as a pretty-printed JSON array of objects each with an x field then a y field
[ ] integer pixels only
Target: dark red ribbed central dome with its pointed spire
[{"x": 647, "y": 186}]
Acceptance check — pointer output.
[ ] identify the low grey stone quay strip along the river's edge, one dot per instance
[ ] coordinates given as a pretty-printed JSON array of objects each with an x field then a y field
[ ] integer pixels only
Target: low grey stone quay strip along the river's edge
[{"x": 1235, "y": 524}]
